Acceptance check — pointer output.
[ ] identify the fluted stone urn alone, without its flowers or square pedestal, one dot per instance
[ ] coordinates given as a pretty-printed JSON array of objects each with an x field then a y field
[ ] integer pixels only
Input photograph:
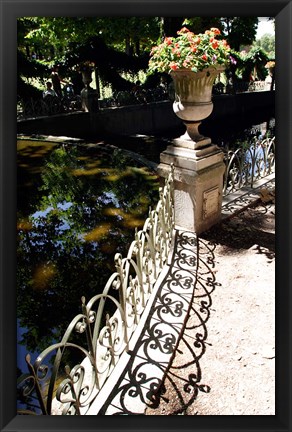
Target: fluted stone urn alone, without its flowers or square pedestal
[{"x": 193, "y": 99}]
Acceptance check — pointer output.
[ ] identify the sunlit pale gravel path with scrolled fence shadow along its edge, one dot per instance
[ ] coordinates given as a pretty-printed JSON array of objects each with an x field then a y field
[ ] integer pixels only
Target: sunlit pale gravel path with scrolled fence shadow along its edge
[{"x": 225, "y": 361}]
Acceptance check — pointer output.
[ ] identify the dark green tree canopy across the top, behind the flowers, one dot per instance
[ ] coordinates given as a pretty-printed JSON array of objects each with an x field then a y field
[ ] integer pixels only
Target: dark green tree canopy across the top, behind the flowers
[{"x": 117, "y": 45}]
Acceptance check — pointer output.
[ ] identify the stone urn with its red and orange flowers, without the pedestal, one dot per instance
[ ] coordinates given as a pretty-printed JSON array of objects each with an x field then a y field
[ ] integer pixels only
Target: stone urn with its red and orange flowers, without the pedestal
[{"x": 193, "y": 61}]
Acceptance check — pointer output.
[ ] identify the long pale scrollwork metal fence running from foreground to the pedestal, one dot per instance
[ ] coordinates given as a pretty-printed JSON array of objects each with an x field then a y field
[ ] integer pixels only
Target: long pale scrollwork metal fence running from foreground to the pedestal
[{"x": 67, "y": 376}]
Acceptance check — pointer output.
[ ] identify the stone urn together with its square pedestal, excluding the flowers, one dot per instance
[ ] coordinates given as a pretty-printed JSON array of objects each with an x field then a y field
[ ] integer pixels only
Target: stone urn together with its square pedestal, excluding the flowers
[{"x": 198, "y": 164}]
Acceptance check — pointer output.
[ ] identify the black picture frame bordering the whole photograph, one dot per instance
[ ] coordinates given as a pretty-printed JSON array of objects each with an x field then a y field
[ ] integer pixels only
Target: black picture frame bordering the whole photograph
[{"x": 9, "y": 11}]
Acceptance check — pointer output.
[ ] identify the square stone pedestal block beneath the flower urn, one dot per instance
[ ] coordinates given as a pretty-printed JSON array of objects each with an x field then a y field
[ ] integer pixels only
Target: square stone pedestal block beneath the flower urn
[{"x": 198, "y": 182}]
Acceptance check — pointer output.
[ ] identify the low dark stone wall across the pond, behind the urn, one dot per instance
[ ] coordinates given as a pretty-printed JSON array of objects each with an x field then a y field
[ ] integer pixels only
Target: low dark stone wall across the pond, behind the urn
[{"x": 147, "y": 119}]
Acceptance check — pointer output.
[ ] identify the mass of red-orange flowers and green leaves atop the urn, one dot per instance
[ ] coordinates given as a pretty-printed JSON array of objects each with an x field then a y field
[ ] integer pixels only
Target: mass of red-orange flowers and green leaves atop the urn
[{"x": 195, "y": 52}]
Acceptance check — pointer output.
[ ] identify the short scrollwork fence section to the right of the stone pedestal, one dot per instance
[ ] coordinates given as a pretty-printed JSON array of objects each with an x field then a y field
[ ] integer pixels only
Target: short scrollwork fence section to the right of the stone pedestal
[{"x": 245, "y": 166}]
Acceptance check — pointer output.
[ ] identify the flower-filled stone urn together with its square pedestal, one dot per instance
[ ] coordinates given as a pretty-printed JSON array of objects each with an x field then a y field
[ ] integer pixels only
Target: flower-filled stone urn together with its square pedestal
[{"x": 193, "y": 61}]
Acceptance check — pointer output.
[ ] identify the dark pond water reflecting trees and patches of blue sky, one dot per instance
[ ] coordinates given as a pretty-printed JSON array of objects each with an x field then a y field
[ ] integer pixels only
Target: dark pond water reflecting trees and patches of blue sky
[{"x": 73, "y": 222}]
